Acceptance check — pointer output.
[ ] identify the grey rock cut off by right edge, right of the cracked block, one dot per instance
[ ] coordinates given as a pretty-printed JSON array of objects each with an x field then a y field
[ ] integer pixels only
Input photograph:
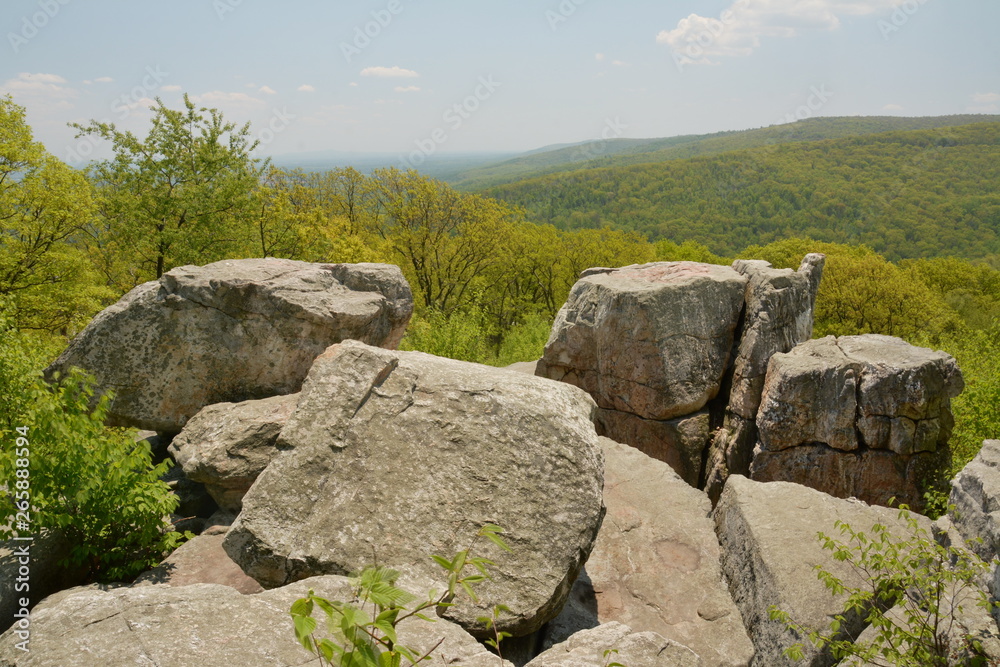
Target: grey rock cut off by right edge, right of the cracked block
[{"x": 975, "y": 493}]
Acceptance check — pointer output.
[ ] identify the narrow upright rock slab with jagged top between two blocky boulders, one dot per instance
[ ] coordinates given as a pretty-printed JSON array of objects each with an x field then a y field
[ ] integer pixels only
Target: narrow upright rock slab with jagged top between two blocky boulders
[{"x": 778, "y": 315}]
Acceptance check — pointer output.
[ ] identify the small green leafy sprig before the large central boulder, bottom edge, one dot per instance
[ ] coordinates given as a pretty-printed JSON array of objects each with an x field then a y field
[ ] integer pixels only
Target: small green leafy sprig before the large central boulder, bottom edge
[{"x": 363, "y": 631}]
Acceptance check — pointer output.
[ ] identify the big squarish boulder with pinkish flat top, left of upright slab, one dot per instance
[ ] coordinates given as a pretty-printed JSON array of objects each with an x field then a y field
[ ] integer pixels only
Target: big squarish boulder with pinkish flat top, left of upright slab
[{"x": 653, "y": 339}]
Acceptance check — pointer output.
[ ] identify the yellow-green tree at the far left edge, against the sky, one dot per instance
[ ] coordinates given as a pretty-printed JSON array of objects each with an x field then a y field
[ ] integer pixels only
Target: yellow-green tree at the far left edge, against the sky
[{"x": 46, "y": 281}]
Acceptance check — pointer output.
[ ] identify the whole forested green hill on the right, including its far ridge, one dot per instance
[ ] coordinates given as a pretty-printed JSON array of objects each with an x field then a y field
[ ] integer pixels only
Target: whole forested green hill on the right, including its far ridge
[{"x": 913, "y": 193}]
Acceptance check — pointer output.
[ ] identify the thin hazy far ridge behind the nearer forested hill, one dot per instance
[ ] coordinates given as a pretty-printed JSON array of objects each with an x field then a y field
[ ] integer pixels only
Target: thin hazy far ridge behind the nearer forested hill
[{"x": 624, "y": 152}]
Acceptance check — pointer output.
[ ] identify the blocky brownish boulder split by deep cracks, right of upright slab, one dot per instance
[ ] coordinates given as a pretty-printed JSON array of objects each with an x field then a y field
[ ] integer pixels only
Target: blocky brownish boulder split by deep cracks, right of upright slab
[{"x": 859, "y": 416}]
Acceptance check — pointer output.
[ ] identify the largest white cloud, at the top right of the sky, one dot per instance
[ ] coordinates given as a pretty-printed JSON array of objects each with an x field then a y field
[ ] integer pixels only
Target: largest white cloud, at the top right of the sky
[{"x": 738, "y": 30}]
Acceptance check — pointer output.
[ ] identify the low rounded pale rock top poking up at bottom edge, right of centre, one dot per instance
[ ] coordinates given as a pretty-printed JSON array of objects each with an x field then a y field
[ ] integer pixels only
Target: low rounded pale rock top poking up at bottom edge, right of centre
[{"x": 635, "y": 649}]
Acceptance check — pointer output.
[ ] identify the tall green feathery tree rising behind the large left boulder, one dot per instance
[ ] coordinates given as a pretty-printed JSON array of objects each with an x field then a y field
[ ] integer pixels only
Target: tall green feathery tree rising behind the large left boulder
[{"x": 182, "y": 195}]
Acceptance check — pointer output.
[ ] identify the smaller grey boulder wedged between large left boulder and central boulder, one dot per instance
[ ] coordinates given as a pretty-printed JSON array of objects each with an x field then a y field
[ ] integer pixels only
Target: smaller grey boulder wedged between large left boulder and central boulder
[{"x": 227, "y": 445}]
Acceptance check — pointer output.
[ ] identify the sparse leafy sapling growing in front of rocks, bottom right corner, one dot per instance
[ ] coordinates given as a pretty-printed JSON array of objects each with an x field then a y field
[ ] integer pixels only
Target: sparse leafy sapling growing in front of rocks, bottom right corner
[{"x": 914, "y": 593}]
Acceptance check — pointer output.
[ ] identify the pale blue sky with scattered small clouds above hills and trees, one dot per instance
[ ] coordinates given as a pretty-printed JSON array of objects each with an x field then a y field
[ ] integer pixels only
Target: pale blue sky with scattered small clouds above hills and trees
[{"x": 492, "y": 75}]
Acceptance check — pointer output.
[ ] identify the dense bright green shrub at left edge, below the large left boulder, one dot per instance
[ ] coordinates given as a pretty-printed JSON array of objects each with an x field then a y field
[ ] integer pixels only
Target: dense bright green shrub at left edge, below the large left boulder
[{"x": 95, "y": 485}]
